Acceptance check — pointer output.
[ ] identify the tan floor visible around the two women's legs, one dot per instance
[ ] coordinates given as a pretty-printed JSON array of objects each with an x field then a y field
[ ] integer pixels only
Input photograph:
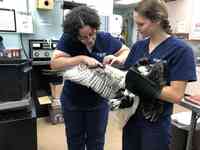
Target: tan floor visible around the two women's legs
[{"x": 52, "y": 137}]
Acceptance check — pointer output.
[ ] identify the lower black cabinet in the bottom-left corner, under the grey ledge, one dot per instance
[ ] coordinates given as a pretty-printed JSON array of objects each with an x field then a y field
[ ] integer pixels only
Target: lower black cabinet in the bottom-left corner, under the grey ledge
[{"x": 18, "y": 129}]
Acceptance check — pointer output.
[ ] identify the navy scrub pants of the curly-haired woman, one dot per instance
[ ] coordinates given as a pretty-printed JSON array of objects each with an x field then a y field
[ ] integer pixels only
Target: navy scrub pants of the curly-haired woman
[{"x": 86, "y": 129}]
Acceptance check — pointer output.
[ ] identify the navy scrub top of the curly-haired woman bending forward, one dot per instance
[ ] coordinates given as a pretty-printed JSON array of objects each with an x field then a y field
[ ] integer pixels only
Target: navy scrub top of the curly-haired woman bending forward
[{"x": 75, "y": 96}]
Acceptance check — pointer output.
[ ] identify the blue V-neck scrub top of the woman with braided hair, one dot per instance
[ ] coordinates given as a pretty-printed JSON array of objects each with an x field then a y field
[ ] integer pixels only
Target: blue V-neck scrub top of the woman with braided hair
[{"x": 178, "y": 55}]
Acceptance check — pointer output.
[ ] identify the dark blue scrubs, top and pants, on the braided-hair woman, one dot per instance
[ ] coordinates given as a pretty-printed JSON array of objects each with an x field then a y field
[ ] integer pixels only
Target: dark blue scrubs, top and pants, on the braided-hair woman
[{"x": 141, "y": 134}]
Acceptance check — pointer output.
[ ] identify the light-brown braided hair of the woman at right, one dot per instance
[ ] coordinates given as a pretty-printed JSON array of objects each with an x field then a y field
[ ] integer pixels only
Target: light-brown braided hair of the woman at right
[{"x": 154, "y": 10}]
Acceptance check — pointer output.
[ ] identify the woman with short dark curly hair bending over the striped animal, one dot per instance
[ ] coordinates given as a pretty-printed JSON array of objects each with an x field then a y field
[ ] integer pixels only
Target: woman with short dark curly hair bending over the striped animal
[{"x": 85, "y": 112}]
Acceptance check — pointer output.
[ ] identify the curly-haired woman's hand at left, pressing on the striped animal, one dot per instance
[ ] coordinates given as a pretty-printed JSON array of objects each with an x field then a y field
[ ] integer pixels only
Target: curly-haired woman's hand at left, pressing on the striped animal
[{"x": 91, "y": 62}]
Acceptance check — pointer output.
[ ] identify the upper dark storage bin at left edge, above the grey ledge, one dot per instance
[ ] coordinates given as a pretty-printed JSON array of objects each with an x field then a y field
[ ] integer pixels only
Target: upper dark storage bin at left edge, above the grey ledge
[{"x": 14, "y": 79}]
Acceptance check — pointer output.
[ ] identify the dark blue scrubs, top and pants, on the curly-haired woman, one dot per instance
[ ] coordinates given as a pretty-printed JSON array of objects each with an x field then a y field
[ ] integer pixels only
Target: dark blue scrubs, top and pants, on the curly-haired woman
[{"x": 85, "y": 112}]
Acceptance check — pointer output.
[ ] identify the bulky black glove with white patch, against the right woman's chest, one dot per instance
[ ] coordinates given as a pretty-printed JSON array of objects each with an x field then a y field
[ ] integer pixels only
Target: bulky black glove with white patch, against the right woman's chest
[{"x": 146, "y": 84}]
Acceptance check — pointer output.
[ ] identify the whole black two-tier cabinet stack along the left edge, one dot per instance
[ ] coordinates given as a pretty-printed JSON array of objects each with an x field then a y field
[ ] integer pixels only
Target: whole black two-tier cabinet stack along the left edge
[{"x": 18, "y": 128}]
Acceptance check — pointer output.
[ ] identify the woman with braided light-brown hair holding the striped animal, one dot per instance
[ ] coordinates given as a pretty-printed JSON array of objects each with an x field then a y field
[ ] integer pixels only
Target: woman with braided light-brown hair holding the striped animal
[{"x": 149, "y": 128}]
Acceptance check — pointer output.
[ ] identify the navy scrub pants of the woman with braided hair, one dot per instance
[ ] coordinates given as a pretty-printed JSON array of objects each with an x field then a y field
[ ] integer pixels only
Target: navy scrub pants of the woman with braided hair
[{"x": 140, "y": 134}]
